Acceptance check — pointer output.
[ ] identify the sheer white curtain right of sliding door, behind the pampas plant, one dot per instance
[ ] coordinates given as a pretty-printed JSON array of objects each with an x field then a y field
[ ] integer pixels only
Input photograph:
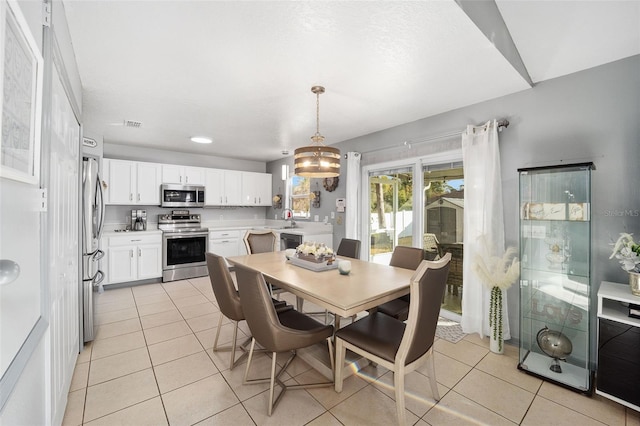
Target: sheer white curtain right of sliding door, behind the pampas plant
[{"x": 483, "y": 216}]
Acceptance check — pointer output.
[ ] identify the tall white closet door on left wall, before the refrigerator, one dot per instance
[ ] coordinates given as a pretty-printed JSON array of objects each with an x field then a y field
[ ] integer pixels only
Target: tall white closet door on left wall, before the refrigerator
[{"x": 63, "y": 243}]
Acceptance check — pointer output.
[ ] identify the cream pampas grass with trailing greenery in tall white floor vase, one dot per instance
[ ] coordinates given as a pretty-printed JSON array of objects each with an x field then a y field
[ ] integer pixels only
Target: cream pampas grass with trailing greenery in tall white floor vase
[{"x": 497, "y": 273}]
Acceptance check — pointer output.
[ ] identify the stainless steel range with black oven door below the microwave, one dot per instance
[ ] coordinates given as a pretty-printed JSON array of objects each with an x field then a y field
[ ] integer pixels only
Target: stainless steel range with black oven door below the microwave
[{"x": 184, "y": 244}]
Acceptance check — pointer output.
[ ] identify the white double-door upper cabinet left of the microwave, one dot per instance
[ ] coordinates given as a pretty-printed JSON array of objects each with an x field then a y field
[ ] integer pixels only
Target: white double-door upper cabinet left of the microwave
[{"x": 131, "y": 182}]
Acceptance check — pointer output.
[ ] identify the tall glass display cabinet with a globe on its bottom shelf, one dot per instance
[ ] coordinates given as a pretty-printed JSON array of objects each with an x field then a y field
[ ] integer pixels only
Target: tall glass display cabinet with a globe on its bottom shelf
[{"x": 555, "y": 274}]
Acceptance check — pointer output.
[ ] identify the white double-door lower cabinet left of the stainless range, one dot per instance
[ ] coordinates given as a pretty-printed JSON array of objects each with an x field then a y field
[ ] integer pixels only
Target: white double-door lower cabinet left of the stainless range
[{"x": 134, "y": 257}]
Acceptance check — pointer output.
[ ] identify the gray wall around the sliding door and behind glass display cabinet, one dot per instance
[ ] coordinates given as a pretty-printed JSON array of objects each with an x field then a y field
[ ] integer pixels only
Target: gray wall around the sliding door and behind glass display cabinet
[{"x": 592, "y": 115}]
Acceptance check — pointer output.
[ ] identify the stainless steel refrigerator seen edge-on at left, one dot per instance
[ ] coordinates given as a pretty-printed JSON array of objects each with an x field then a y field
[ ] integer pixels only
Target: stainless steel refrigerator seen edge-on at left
[{"x": 92, "y": 224}]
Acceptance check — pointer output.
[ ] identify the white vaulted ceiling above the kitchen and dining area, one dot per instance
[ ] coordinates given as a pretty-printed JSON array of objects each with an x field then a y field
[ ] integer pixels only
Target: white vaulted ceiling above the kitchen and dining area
[{"x": 241, "y": 71}]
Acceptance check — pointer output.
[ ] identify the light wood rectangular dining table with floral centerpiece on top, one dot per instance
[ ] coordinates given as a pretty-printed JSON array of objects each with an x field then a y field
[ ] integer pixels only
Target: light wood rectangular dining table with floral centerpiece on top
[{"x": 366, "y": 286}]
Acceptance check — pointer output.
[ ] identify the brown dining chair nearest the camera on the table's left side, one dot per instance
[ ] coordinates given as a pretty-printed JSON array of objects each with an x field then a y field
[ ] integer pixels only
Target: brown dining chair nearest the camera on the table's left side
[{"x": 287, "y": 332}]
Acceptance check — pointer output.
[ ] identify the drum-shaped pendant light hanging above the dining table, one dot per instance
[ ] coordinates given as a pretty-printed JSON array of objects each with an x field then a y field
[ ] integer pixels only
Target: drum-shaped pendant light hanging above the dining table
[{"x": 317, "y": 160}]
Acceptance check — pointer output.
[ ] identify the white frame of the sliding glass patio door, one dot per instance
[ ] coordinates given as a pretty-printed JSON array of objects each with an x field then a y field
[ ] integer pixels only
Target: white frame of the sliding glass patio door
[{"x": 416, "y": 164}]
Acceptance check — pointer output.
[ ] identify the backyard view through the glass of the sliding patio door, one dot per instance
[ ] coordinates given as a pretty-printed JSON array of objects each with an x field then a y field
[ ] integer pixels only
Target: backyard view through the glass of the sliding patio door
[{"x": 392, "y": 214}]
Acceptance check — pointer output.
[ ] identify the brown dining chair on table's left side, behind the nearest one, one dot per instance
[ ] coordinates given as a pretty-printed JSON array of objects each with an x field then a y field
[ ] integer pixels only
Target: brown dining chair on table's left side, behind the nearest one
[{"x": 230, "y": 306}]
